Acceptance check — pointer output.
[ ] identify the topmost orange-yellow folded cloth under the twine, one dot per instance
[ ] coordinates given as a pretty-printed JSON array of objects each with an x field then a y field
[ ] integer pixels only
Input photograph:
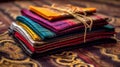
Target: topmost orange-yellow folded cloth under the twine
[{"x": 51, "y": 14}]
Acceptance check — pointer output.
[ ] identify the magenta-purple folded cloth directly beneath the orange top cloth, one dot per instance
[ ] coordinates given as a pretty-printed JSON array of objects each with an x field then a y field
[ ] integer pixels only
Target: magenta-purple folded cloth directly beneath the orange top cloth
[{"x": 59, "y": 27}]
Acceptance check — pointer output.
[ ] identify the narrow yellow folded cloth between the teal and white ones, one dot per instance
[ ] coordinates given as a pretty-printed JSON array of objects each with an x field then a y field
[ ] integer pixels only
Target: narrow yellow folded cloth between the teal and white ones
[{"x": 33, "y": 35}]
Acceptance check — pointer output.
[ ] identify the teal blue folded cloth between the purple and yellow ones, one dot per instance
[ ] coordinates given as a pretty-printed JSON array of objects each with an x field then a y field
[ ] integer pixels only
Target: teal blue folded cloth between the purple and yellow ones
[{"x": 38, "y": 29}]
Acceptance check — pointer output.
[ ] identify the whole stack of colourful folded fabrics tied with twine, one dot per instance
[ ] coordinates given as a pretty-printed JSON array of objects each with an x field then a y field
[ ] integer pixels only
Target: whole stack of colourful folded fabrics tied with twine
[{"x": 47, "y": 28}]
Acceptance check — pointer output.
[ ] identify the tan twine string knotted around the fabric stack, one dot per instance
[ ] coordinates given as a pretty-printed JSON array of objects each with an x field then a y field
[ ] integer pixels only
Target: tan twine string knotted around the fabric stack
[{"x": 77, "y": 16}]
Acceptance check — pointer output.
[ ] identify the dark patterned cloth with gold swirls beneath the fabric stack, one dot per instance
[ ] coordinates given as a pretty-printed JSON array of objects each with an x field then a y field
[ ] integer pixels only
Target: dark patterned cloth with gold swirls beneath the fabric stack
[{"x": 102, "y": 55}]
